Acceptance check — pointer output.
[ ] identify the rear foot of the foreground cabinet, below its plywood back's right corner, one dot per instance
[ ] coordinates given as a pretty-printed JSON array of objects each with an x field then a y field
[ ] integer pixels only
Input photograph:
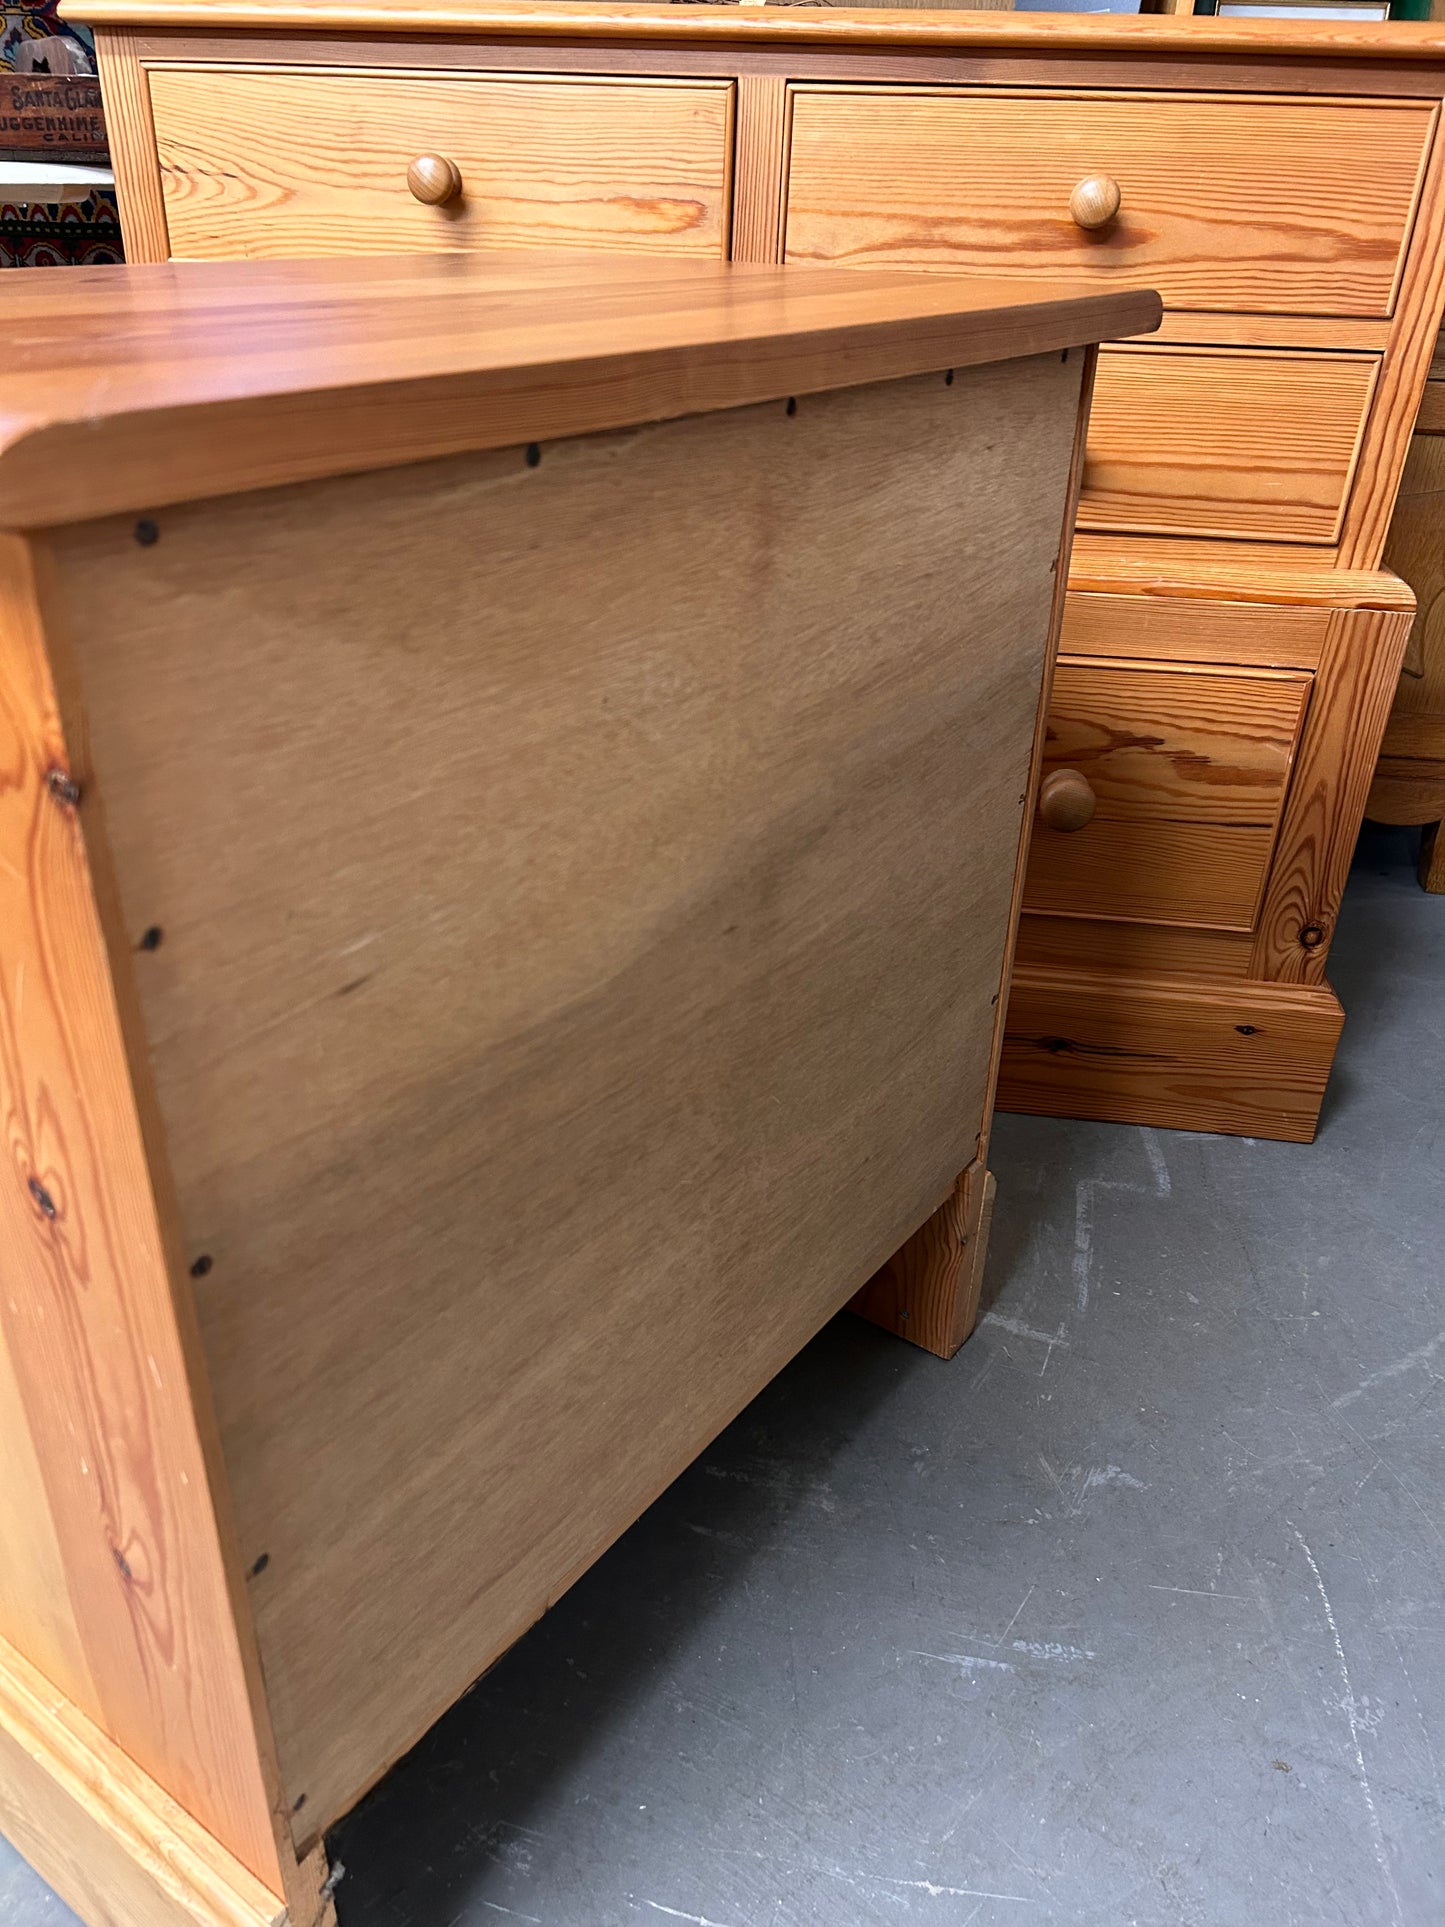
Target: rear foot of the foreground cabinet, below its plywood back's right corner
[{"x": 930, "y": 1290}]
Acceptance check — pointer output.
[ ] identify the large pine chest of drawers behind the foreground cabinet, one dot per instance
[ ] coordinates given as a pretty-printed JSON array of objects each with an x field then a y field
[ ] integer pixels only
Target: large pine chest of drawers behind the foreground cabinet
[{"x": 1232, "y": 641}]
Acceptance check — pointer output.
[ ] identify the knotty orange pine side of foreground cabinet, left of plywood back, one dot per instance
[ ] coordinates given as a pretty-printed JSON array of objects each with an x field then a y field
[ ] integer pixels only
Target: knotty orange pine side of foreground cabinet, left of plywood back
[{"x": 88, "y": 1317}]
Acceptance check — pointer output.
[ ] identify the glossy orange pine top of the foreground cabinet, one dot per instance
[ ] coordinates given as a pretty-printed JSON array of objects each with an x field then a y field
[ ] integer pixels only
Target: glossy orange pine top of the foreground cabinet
[{"x": 136, "y": 386}]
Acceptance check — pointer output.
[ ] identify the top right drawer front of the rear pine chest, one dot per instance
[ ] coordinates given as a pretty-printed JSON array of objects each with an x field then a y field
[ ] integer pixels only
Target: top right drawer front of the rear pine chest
[{"x": 1259, "y": 205}]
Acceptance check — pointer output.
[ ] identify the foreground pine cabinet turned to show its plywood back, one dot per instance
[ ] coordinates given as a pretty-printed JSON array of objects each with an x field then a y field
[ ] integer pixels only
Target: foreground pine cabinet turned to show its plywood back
[{"x": 515, "y": 783}]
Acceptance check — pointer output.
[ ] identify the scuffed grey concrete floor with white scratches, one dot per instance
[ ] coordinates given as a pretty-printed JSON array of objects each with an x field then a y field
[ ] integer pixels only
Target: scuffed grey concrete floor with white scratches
[{"x": 1130, "y": 1618}]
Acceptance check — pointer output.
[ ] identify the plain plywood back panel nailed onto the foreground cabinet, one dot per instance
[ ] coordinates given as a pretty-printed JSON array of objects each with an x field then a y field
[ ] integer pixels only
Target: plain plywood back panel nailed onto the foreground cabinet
[{"x": 585, "y": 893}]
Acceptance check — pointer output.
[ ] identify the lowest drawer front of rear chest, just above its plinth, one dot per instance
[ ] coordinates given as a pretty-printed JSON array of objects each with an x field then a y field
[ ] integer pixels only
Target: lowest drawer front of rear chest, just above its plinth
[{"x": 1190, "y": 768}]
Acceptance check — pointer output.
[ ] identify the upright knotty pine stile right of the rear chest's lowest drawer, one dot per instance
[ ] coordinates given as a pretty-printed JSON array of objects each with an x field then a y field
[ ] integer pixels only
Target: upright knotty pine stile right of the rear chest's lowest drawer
[{"x": 1353, "y": 689}]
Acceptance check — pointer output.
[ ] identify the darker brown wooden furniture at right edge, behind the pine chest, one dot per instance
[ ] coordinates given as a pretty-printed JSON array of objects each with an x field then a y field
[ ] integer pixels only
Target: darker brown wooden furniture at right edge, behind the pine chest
[{"x": 1411, "y": 774}]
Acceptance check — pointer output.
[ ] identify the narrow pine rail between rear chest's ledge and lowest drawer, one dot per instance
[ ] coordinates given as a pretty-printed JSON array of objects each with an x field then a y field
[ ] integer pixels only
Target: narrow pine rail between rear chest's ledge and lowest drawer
[{"x": 1178, "y": 629}]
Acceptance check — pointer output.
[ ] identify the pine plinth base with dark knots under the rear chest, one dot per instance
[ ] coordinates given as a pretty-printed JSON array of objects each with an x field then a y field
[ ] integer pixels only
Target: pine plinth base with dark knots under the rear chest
[{"x": 1251, "y": 1059}]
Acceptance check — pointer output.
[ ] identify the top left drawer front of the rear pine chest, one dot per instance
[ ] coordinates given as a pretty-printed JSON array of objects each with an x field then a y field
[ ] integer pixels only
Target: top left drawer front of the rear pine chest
[{"x": 280, "y": 163}]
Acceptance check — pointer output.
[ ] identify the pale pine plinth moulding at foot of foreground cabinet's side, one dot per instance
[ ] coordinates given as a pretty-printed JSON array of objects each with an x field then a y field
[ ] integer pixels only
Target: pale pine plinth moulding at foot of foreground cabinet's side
[{"x": 101, "y": 1832}]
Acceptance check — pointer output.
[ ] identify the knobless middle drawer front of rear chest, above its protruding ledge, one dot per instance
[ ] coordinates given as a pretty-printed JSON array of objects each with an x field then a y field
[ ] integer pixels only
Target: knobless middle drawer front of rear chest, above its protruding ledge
[{"x": 1224, "y": 442}]
